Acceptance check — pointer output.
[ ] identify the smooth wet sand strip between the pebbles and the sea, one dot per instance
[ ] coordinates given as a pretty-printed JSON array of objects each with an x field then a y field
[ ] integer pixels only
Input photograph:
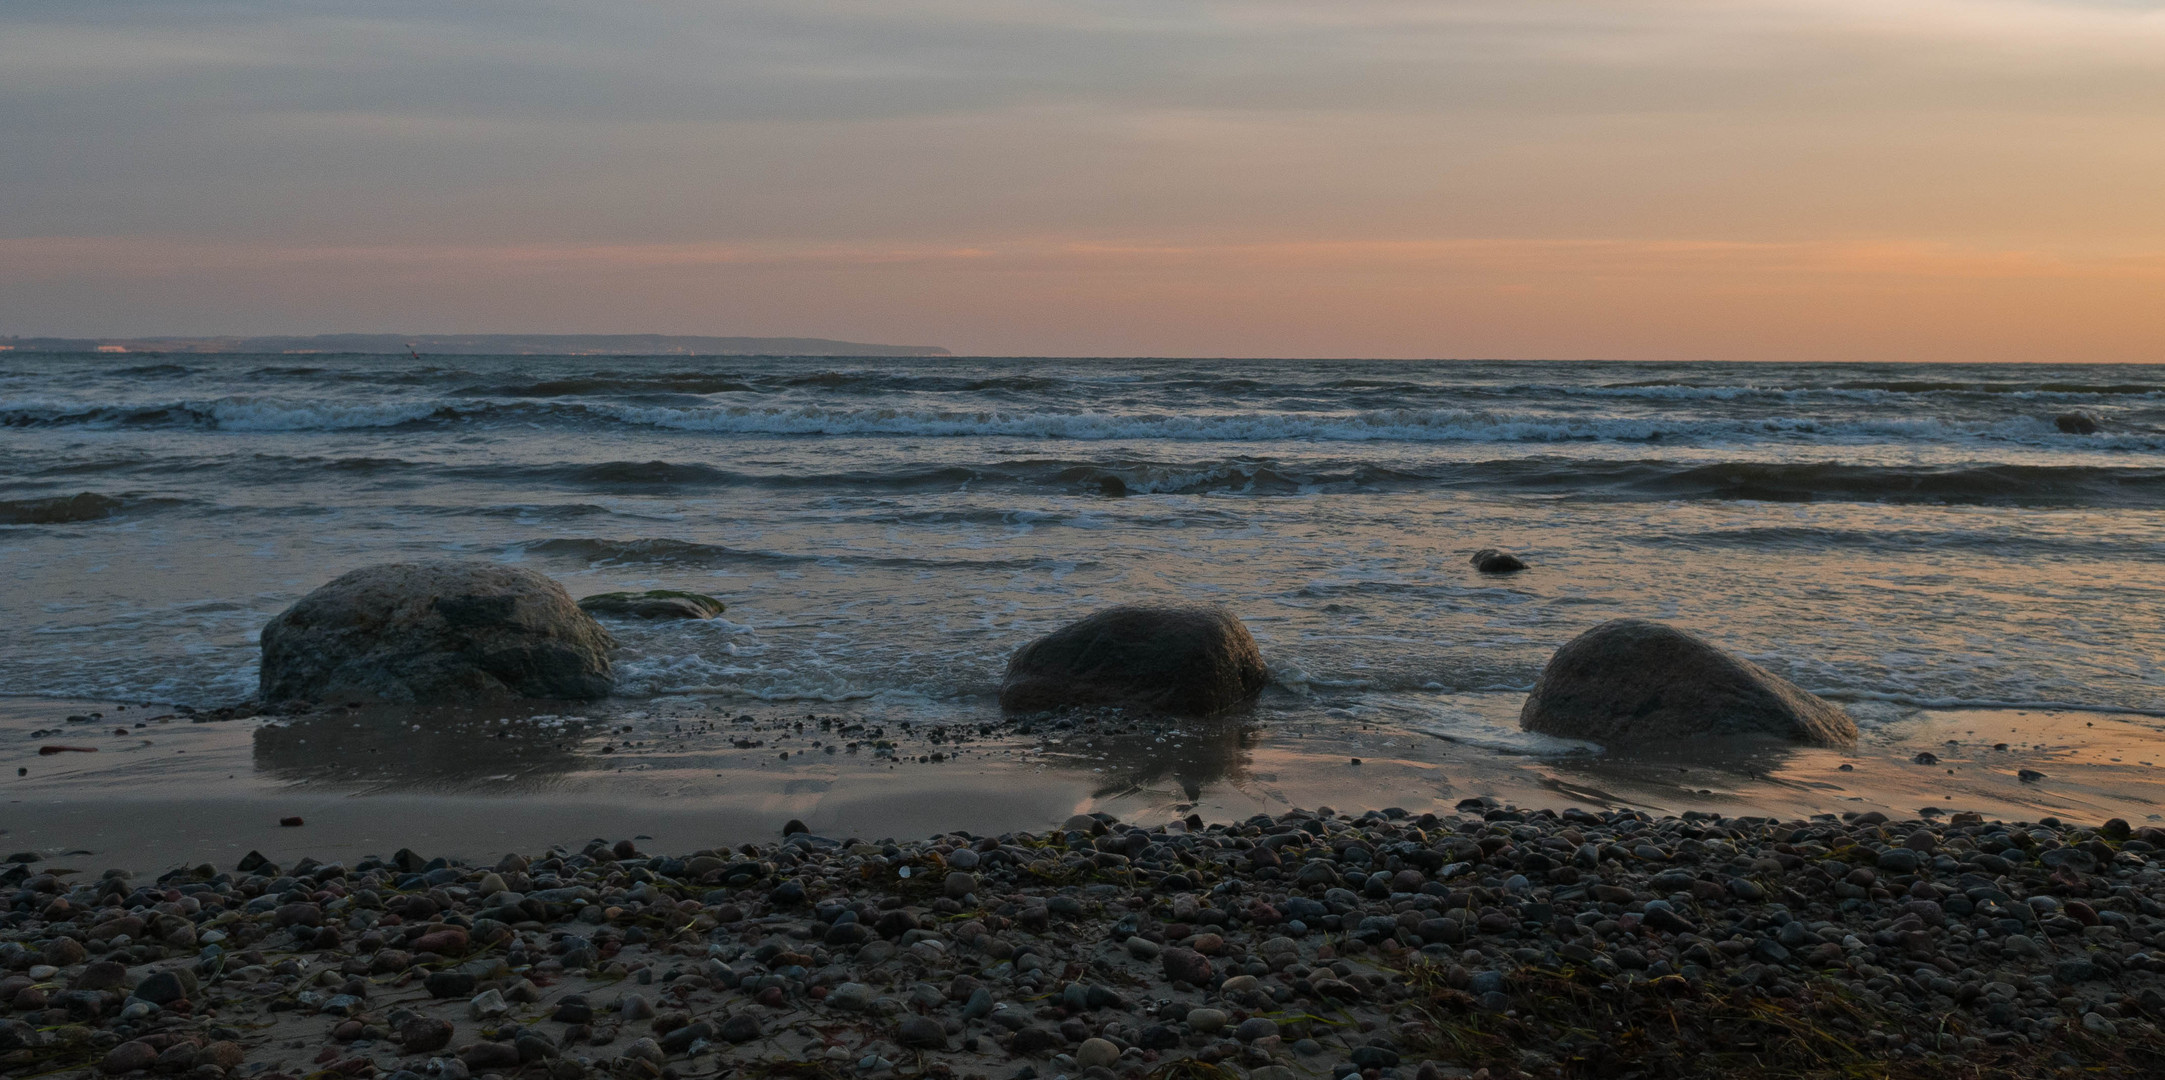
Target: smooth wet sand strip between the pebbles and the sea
[{"x": 685, "y": 774}]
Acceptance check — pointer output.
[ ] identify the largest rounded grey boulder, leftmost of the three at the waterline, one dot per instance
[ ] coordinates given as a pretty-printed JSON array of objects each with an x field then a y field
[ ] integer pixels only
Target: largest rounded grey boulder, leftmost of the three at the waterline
[{"x": 436, "y": 633}]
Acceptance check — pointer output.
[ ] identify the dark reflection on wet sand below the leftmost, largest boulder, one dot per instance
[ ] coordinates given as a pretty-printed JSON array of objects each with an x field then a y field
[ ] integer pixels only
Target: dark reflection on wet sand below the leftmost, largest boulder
[{"x": 425, "y": 750}]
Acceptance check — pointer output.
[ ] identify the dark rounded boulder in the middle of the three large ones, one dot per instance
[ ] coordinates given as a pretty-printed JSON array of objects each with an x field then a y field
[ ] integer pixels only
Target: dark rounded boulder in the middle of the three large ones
[{"x": 1177, "y": 661}]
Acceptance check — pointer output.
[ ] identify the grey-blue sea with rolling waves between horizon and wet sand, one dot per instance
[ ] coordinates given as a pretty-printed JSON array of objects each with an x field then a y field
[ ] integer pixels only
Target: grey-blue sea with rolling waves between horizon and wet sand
[{"x": 889, "y": 531}]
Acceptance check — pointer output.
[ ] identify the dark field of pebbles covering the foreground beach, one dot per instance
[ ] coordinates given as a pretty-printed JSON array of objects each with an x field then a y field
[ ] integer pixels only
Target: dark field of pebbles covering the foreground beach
[{"x": 1493, "y": 943}]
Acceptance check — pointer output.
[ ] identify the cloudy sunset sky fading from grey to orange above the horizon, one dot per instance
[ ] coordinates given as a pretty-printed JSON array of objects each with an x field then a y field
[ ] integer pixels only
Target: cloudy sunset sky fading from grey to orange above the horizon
[{"x": 1887, "y": 181}]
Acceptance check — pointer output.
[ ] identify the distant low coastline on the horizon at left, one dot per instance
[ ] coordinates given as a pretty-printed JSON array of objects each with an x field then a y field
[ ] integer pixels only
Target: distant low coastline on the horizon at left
[{"x": 540, "y": 345}]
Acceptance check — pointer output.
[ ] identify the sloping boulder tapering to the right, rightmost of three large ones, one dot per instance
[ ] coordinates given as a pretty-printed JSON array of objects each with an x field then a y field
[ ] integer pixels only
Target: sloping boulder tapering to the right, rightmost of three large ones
[{"x": 1640, "y": 683}]
